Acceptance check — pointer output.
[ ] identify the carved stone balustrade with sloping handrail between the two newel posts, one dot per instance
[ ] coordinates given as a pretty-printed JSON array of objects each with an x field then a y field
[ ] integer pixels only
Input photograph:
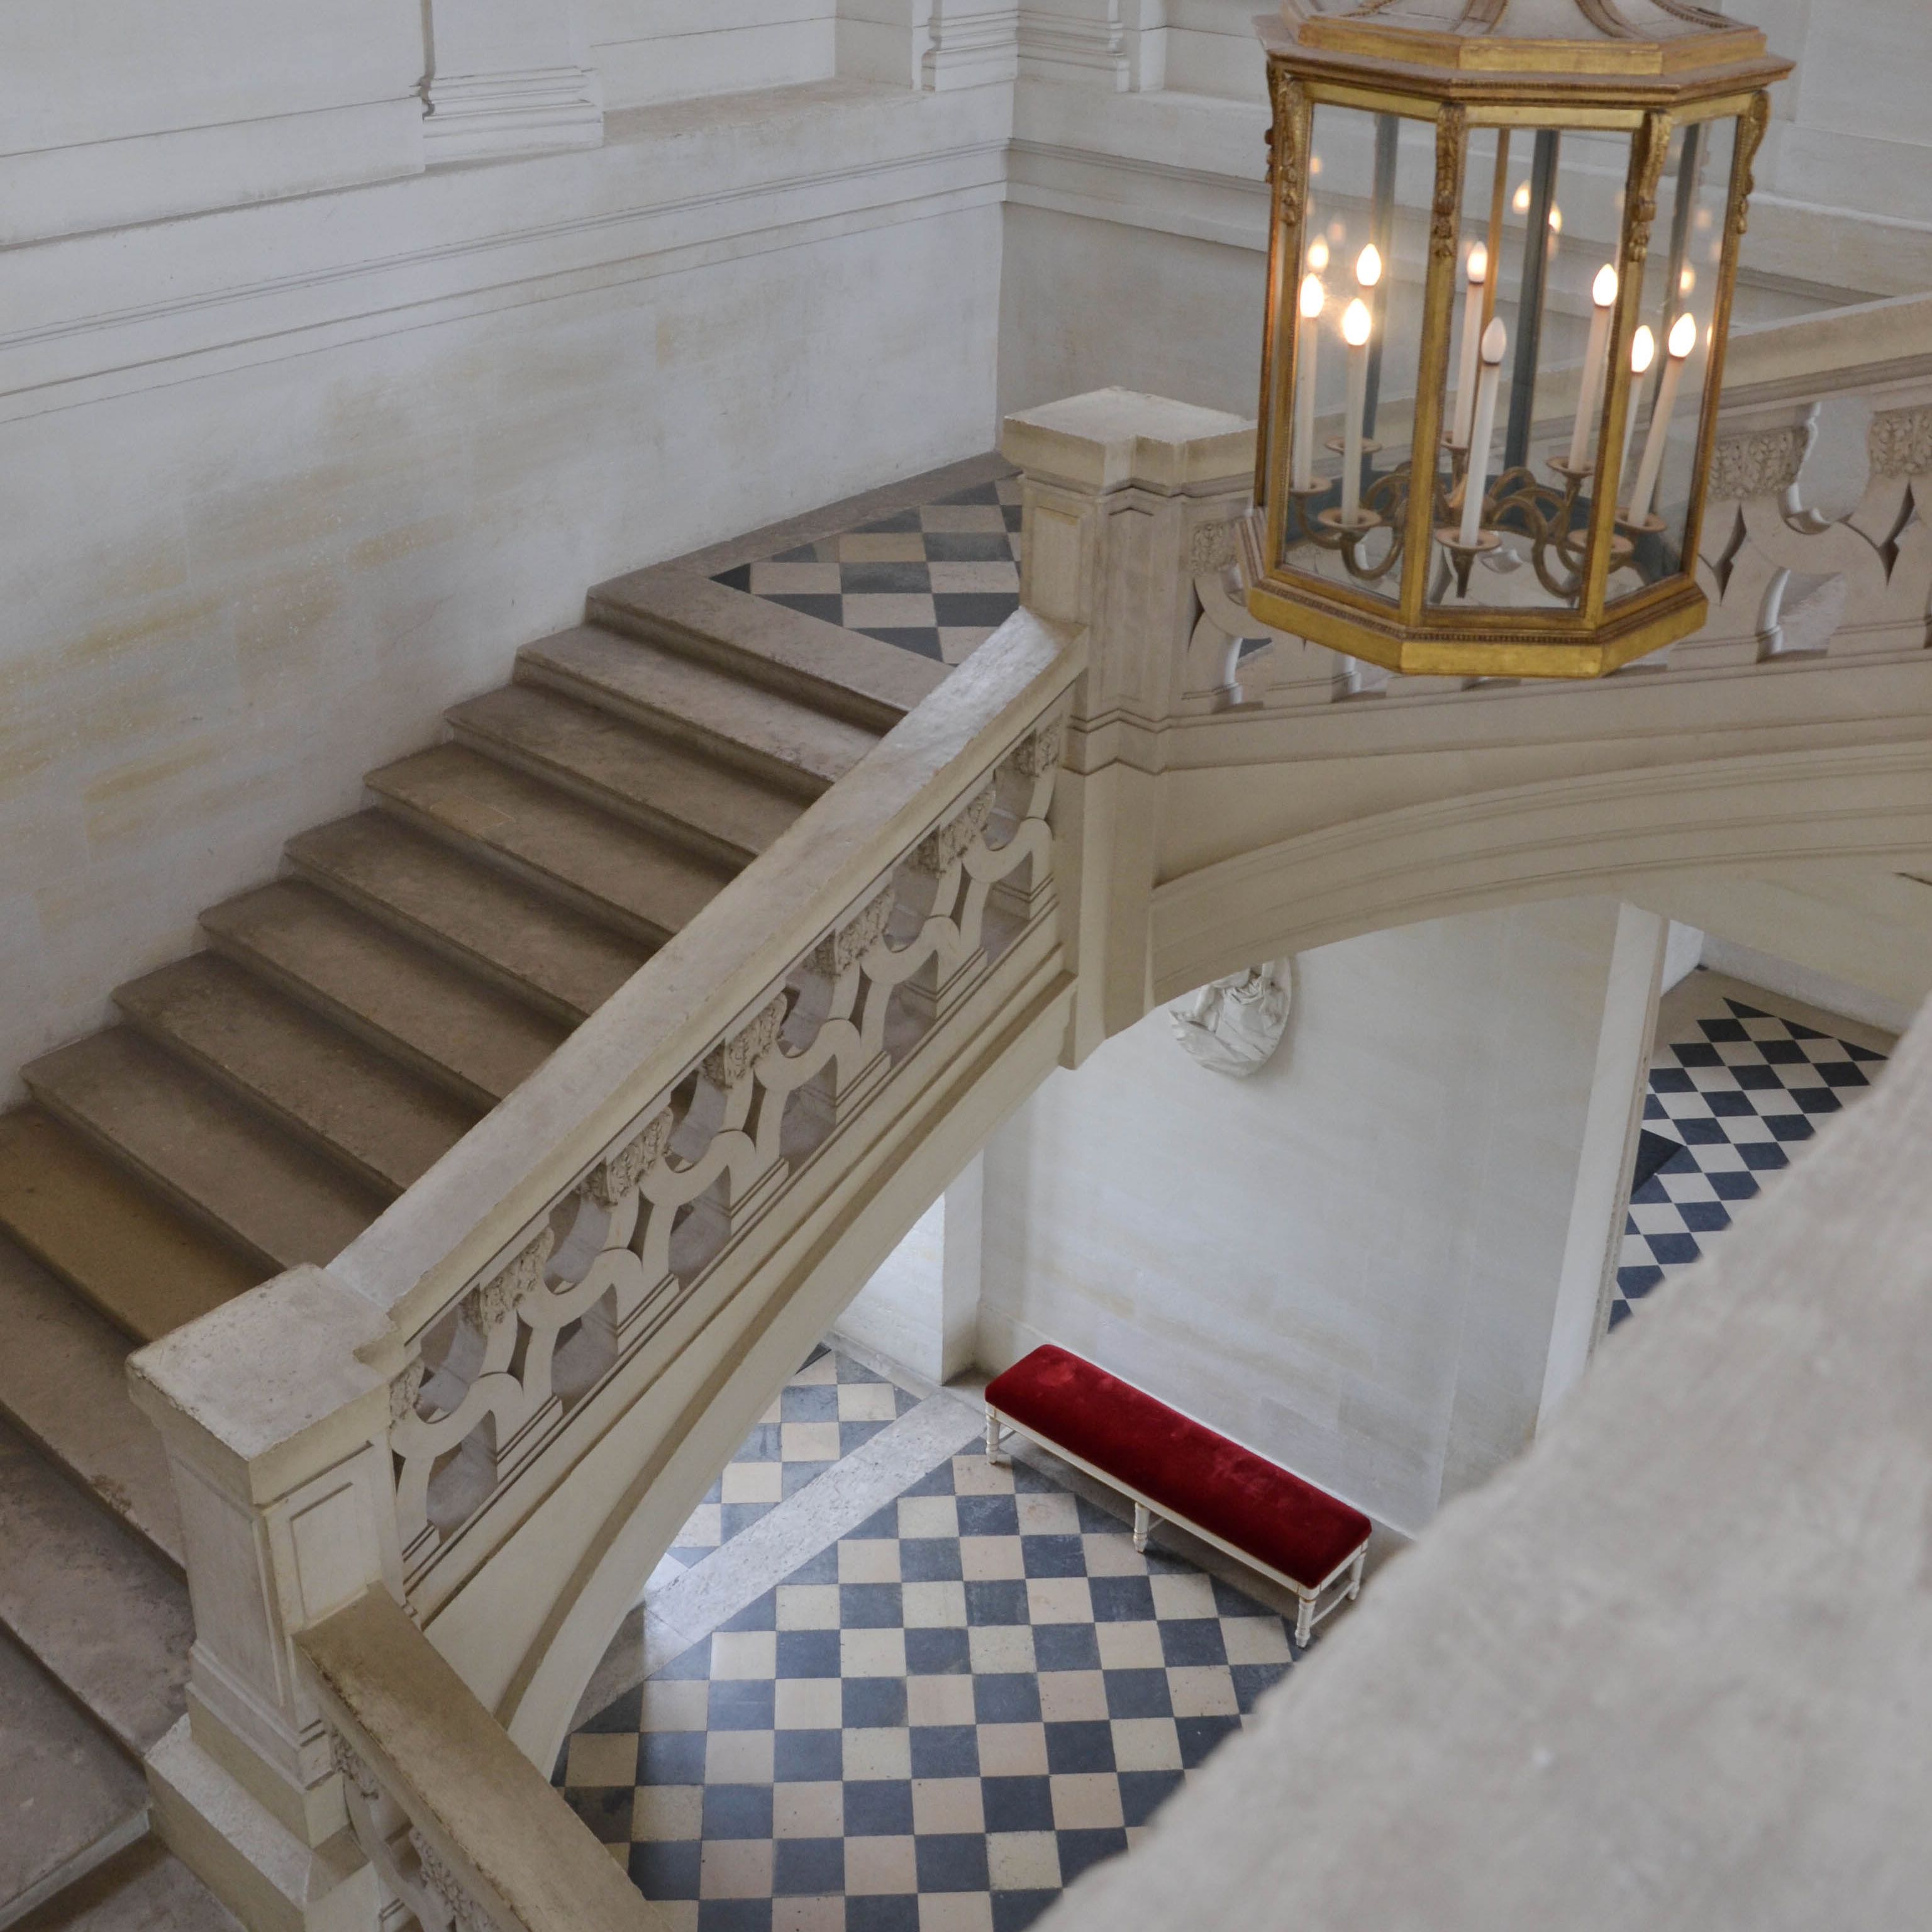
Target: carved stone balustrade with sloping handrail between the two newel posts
[{"x": 725, "y": 1114}]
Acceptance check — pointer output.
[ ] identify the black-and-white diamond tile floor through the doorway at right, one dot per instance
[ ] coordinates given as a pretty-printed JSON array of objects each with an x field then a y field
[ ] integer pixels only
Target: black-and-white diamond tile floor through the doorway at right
[{"x": 1724, "y": 1106}]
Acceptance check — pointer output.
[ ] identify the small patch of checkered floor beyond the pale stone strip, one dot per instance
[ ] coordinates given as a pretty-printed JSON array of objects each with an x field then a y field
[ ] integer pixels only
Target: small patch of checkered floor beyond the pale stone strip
[{"x": 824, "y": 1413}]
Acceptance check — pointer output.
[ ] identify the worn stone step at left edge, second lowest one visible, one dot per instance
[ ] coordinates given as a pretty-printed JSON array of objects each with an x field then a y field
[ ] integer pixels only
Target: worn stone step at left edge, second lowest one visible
[{"x": 69, "y": 1796}]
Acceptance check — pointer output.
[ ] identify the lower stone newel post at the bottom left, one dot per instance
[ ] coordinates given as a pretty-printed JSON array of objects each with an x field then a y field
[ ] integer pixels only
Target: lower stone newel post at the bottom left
[{"x": 289, "y": 1512}]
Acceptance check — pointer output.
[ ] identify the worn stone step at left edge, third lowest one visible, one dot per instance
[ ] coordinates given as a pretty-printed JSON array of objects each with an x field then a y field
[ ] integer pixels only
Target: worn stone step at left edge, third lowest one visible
[{"x": 96, "y": 1608}]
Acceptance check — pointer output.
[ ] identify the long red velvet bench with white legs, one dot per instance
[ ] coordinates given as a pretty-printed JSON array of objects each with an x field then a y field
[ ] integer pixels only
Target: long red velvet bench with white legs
[{"x": 1178, "y": 1469}]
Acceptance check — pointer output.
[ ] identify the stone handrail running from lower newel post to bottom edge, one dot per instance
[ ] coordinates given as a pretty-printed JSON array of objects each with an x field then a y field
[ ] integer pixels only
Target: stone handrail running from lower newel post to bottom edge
[{"x": 453, "y": 1819}]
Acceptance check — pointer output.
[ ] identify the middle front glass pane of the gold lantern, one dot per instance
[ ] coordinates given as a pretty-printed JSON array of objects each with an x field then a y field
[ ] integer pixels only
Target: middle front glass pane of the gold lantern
[{"x": 1545, "y": 208}]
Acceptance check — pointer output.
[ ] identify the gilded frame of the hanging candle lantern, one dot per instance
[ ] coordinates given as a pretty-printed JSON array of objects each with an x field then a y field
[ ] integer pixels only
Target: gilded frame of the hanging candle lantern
[{"x": 1605, "y": 80}]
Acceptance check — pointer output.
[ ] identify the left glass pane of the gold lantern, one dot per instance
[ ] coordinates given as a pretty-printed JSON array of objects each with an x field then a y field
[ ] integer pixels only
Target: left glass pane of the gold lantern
[{"x": 1371, "y": 179}]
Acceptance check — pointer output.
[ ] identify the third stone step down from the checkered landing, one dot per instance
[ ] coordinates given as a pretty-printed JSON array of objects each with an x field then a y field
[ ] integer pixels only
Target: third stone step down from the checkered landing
[{"x": 592, "y": 861}]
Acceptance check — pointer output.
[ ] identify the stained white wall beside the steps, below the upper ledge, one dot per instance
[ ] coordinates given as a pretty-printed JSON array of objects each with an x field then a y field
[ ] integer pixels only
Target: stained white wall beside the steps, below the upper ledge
[{"x": 239, "y": 579}]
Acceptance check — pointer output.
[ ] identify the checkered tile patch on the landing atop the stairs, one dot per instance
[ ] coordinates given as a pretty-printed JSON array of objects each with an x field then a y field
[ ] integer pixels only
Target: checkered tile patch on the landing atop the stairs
[{"x": 938, "y": 581}]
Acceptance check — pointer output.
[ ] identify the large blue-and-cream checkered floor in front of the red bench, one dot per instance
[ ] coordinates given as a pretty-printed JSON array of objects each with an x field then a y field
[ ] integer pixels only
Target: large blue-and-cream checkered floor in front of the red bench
[{"x": 932, "y": 1726}]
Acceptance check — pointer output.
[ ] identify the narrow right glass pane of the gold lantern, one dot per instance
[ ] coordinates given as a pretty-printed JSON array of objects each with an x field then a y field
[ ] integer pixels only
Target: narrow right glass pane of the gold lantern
[{"x": 1682, "y": 277}]
